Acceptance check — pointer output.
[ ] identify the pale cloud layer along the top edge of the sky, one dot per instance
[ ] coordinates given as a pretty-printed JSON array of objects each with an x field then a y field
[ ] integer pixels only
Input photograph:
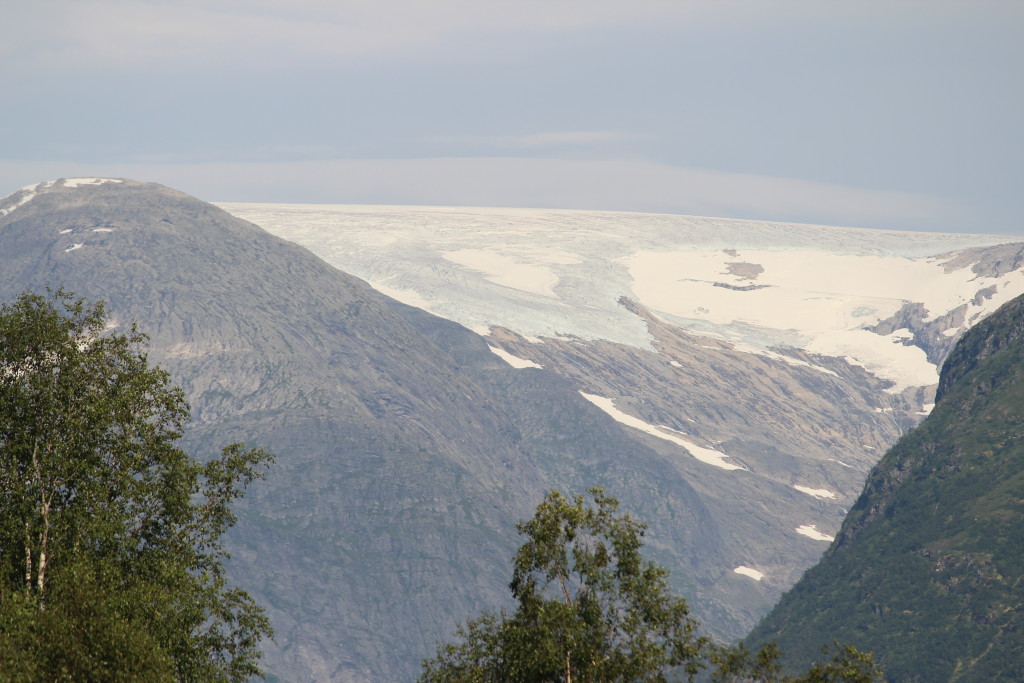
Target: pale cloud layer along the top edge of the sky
[{"x": 190, "y": 33}]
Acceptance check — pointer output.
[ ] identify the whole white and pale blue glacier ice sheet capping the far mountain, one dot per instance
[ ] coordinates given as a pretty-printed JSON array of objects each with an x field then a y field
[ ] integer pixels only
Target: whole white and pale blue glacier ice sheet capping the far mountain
[{"x": 557, "y": 274}]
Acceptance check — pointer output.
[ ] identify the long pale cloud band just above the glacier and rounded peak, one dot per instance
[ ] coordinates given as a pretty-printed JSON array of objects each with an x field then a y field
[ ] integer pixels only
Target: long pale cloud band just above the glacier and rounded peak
[{"x": 613, "y": 186}]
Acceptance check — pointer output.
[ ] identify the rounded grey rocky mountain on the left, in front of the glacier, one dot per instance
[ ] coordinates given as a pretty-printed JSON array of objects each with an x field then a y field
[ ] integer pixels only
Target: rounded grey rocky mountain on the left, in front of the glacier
[{"x": 408, "y": 451}]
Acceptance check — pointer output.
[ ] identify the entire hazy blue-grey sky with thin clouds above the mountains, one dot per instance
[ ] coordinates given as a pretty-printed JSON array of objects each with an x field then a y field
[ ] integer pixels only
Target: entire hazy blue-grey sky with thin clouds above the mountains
[{"x": 903, "y": 115}]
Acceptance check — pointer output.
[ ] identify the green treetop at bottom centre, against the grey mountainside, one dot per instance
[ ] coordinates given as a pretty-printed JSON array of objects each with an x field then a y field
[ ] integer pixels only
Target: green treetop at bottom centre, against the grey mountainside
[{"x": 590, "y": 608}]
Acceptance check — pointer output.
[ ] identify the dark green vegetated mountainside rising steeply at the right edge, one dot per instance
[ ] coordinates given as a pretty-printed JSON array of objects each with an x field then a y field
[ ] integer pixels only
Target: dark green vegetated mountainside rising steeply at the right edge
[{"x": 927, "y": 570}]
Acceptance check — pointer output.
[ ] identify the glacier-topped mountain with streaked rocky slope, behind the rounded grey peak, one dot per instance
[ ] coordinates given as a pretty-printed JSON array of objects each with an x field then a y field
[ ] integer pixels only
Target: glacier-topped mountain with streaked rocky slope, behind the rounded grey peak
[{"x": 771, "y": 365}]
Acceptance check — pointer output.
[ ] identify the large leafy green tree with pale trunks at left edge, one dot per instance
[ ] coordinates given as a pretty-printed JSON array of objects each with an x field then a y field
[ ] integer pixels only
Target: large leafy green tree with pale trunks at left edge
[{"x": 111, "y": 537}]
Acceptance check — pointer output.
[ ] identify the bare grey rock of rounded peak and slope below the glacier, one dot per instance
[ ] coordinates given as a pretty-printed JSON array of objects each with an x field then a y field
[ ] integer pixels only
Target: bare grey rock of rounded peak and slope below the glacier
[{"x": 409, "y": 449}]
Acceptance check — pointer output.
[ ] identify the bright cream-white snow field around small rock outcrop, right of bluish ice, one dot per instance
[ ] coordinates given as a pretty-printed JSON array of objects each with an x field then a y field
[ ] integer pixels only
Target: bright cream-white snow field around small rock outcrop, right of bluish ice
[{"x": 827, "y": 298}]
